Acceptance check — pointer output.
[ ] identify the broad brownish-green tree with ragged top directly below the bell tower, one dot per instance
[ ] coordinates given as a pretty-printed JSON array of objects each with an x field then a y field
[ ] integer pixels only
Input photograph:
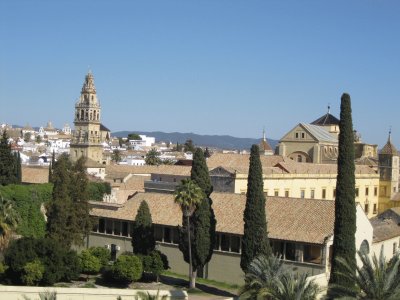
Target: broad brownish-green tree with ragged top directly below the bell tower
[{"x": 68, "y": 211}]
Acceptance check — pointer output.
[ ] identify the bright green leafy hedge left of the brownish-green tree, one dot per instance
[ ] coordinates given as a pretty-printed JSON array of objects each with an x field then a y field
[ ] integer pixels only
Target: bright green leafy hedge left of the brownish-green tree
[{"x": 27, "y": 200}]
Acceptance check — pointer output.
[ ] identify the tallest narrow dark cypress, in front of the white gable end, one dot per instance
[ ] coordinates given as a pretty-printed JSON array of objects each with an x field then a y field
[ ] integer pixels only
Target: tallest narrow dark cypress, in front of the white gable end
[{"x": 345, "y": 207}]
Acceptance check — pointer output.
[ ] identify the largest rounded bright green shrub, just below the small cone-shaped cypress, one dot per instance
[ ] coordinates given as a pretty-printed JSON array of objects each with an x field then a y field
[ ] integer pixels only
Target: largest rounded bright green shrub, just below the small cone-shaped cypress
[{"x": 127, "y": 268}]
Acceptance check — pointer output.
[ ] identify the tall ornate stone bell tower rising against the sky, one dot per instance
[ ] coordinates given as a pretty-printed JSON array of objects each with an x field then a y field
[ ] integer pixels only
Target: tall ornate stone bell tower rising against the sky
[{"x": 87, "y": 138}]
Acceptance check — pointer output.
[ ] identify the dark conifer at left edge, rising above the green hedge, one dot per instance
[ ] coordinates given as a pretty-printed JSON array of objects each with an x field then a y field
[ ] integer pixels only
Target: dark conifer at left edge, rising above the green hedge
[{"x": 7, "y": 162}]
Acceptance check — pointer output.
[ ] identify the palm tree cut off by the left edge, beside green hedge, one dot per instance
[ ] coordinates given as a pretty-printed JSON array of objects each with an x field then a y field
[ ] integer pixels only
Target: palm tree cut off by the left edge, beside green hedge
[{"x": 8, "y": 222}]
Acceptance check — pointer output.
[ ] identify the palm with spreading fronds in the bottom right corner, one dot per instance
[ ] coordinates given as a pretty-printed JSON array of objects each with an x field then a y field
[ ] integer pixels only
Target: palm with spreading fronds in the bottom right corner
[{"x": 375, "y": 279}]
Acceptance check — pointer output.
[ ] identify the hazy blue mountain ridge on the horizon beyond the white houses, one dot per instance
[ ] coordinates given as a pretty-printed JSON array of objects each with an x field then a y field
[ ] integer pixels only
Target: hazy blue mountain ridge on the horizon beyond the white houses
[{"x": 214, "y": 141}]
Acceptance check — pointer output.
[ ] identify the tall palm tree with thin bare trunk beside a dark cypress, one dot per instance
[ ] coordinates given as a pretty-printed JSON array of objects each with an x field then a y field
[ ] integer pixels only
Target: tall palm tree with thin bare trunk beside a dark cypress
[{"x": 188, "y": 195}]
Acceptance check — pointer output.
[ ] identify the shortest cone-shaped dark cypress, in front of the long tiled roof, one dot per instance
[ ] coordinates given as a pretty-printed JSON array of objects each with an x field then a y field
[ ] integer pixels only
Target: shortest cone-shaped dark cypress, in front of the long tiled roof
[{"x": 143, "y": 232}]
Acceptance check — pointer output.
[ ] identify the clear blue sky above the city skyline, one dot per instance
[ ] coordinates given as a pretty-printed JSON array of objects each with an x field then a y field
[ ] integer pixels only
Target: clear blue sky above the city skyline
[{"x": 208, "y": 67}]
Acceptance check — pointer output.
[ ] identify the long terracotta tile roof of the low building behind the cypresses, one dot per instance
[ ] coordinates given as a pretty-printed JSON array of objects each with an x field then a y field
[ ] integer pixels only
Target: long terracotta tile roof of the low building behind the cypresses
[{"x": 301, "y": 220}]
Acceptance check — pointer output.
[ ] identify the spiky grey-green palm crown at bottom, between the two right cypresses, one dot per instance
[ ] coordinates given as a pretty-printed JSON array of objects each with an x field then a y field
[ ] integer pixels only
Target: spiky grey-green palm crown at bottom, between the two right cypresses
[{"x": 267, "y": 278}]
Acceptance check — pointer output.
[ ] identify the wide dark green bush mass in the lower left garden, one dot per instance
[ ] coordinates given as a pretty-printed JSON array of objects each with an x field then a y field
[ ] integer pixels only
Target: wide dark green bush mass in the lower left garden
[{"x": 59, "y": 263}]
